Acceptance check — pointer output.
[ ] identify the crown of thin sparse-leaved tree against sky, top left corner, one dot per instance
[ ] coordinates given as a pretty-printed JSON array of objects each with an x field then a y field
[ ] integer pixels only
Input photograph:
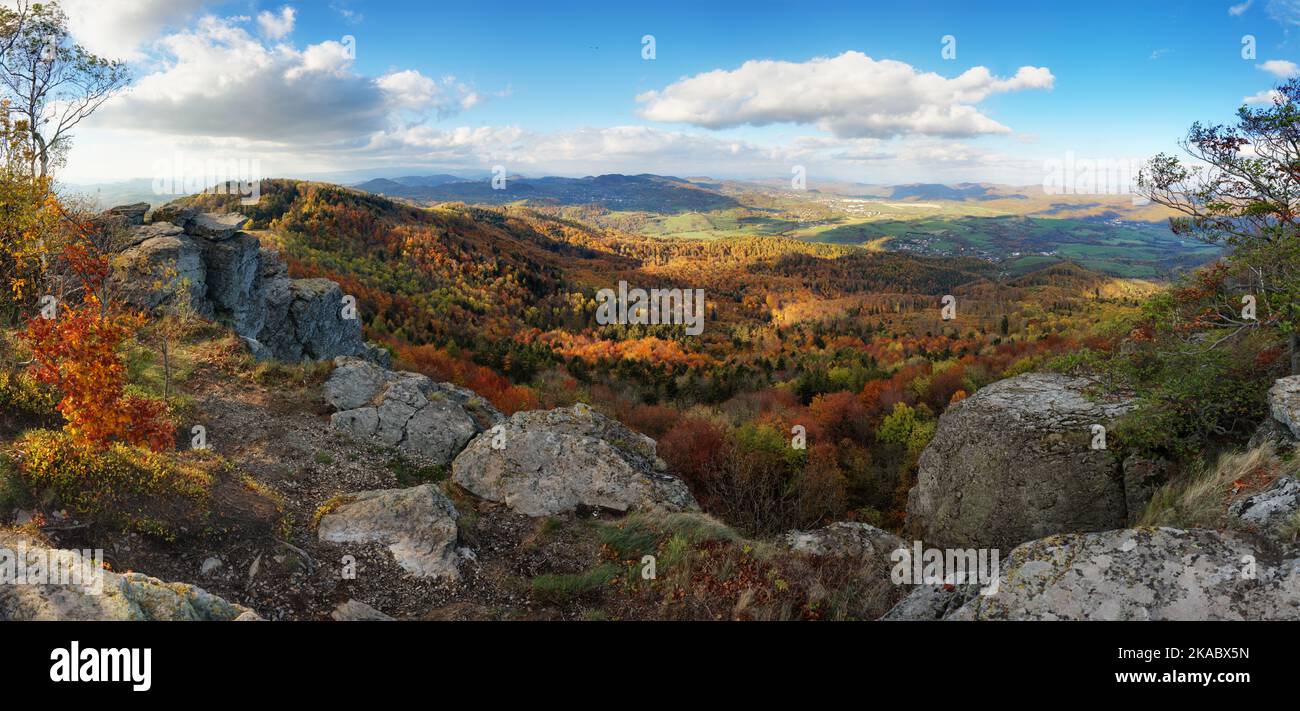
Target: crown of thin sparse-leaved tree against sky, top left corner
[{"x": 54, "y": 84}]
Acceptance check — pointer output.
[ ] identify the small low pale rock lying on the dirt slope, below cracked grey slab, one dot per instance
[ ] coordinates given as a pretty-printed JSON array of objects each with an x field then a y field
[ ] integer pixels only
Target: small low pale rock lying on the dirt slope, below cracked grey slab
[{"x": 418, "y": 524}]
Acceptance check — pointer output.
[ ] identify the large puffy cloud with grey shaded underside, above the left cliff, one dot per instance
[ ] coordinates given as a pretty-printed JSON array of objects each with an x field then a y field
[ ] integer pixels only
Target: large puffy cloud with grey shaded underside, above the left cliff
[{"x": 219, "y": 80}]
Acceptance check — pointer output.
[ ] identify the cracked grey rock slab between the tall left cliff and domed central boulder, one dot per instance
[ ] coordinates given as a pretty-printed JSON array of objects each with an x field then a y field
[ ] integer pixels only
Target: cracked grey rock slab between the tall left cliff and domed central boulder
[{"x": 432, "y": 420}]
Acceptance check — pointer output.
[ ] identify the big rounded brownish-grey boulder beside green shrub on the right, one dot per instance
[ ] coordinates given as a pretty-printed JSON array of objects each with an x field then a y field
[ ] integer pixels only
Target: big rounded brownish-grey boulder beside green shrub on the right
[{"x": 1016, "y": 462}]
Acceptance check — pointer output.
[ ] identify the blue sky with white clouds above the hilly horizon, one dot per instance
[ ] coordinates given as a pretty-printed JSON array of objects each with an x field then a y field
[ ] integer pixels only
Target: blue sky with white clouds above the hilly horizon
[{"x": 874, "y": 93}]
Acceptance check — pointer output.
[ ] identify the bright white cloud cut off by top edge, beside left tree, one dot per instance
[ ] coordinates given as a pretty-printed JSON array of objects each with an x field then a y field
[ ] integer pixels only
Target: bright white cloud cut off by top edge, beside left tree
[{"x": 118, "y": 31}]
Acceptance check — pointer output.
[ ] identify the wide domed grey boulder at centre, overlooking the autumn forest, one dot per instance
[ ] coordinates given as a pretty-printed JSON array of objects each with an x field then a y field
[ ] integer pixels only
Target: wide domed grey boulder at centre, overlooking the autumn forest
[{"x": 541, "y": 463}]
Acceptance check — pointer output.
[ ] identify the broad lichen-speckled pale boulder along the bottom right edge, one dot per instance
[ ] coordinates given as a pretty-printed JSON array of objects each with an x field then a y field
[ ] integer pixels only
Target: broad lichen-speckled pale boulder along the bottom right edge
[{"x": 1143, "y": 574}]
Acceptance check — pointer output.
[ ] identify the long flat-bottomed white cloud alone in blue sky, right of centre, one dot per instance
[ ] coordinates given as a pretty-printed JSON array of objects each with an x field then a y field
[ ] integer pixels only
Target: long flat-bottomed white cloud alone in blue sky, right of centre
[{"x": 851, "y": 96}]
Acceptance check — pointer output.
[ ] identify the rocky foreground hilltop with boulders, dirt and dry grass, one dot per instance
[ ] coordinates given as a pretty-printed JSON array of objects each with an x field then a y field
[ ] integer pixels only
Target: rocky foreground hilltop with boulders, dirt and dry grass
[{"x": 350, "y": 491}]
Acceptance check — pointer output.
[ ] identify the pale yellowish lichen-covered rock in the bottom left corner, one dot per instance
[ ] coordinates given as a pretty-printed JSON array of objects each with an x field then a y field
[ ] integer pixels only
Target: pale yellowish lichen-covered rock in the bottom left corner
[{"x": 115, "y": 597}]
